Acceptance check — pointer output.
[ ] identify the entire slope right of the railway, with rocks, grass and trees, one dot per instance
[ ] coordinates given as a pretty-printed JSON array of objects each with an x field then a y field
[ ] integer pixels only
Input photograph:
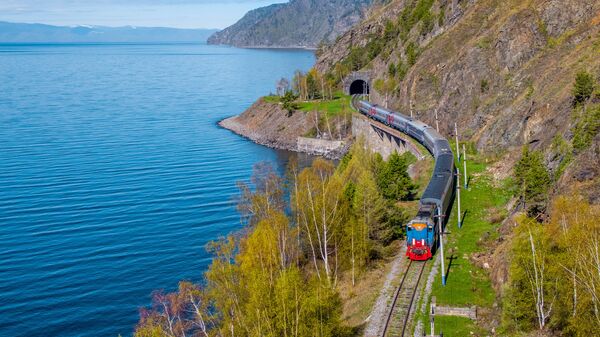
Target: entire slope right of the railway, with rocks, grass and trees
[{"x": 522, "y": 80}]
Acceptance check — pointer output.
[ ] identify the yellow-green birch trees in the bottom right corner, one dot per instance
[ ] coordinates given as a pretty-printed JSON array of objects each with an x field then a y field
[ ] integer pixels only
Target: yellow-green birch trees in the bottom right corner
[{"x": 564, "y": 294}]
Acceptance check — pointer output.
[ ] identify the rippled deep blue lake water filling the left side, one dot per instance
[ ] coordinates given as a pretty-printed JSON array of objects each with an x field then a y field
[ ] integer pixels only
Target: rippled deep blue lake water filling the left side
[{"x": 114, "y": 175}]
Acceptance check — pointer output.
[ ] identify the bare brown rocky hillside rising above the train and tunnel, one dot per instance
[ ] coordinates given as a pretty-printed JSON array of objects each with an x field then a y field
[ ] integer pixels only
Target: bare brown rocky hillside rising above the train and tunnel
[{"x": 504, "y": 70}]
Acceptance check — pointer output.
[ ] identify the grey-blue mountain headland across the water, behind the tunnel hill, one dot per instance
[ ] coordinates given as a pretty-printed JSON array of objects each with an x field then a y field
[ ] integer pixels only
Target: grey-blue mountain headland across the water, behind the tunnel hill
[{"x": 298, "y": 23}]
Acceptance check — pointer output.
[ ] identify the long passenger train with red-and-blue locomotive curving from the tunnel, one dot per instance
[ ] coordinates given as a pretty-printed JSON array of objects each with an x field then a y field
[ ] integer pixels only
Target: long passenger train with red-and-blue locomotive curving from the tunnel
[{"x": 423, "y": 231}]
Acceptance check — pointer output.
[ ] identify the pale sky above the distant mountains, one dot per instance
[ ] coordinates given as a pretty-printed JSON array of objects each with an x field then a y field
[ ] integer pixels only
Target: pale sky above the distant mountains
[{"x": 153, "y": 13}]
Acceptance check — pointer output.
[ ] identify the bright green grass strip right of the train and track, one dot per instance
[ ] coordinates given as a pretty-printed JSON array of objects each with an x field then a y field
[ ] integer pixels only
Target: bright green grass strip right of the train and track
[{"x": 468, "y": 284}]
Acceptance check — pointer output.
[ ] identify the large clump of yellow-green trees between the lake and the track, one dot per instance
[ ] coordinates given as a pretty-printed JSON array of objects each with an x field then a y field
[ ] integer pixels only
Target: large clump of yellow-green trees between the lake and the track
[{"x": 279, "y": 276}]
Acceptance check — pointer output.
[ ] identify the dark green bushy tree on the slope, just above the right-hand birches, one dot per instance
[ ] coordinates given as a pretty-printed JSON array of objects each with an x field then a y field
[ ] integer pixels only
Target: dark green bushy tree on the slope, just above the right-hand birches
[{"x": 533, "y": 181}]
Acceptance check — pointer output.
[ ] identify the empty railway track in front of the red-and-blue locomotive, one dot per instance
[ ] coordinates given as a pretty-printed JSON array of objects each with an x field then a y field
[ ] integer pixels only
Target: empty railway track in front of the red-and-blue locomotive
[{"x": 396, "y": 324}]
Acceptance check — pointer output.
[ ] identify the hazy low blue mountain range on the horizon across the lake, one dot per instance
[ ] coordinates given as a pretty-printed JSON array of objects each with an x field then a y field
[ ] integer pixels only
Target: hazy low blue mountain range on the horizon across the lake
[{"x": 40, "y": 33}]
